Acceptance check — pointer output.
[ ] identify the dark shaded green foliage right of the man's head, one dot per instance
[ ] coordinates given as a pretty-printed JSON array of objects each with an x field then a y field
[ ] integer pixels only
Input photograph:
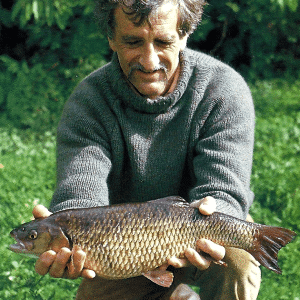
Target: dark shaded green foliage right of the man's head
[{"x": 260, "y": 38}]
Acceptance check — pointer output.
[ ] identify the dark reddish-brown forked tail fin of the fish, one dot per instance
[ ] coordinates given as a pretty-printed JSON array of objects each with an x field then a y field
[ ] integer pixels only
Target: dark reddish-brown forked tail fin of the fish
[{"x": 269, "y": 241}]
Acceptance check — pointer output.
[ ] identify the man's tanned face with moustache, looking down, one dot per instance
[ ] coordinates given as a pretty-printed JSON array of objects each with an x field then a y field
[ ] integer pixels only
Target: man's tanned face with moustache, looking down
[{"x": 149, "y": 54}]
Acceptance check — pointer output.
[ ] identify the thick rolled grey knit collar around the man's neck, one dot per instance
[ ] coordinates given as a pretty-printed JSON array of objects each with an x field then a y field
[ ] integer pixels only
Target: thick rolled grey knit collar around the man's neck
[{"x": 144, "y": 104}]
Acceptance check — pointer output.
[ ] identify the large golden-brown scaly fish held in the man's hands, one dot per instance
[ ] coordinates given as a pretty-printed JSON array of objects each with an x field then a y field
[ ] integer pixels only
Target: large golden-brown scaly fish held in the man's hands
[{"x": 129, "y": 240}]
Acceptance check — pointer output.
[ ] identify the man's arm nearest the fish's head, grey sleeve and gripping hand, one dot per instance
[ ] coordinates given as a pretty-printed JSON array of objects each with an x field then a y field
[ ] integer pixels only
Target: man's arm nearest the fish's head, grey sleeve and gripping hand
[{"x": 83, "y": 165}]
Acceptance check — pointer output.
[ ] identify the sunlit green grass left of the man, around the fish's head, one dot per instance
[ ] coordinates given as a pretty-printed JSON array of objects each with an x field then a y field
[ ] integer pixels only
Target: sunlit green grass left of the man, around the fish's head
[{"x": 27, "y": 179}]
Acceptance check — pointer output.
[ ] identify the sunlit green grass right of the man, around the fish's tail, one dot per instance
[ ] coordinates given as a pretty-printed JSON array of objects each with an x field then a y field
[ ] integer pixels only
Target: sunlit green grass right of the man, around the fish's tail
[{"x": 276, "y": 178}]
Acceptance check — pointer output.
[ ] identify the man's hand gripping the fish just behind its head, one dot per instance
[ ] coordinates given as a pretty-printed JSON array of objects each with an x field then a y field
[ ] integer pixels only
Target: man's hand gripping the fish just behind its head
[{"x": 65, "y": 263}]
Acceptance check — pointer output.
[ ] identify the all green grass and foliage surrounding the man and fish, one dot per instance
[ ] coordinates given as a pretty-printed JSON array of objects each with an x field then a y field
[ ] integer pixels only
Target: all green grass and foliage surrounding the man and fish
[{"x": 47, "y": 47}]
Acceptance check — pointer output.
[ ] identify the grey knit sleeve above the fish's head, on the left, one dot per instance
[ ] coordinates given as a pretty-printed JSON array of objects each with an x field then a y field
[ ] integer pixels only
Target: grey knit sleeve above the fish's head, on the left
[{"x": 83, "y": 152}]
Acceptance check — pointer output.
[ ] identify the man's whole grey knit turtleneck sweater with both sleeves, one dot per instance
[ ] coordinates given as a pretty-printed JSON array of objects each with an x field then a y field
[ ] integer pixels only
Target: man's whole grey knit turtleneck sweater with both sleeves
[{"x": 115, "y": 146}]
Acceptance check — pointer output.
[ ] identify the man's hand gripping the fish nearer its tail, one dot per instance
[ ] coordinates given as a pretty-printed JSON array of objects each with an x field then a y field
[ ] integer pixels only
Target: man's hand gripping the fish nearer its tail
[{"x": 206, "y": 206}]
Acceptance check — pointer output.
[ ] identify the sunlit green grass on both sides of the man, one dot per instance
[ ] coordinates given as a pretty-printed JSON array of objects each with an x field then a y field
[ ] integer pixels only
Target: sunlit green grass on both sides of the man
[{"x": 28, "y": 178}]
